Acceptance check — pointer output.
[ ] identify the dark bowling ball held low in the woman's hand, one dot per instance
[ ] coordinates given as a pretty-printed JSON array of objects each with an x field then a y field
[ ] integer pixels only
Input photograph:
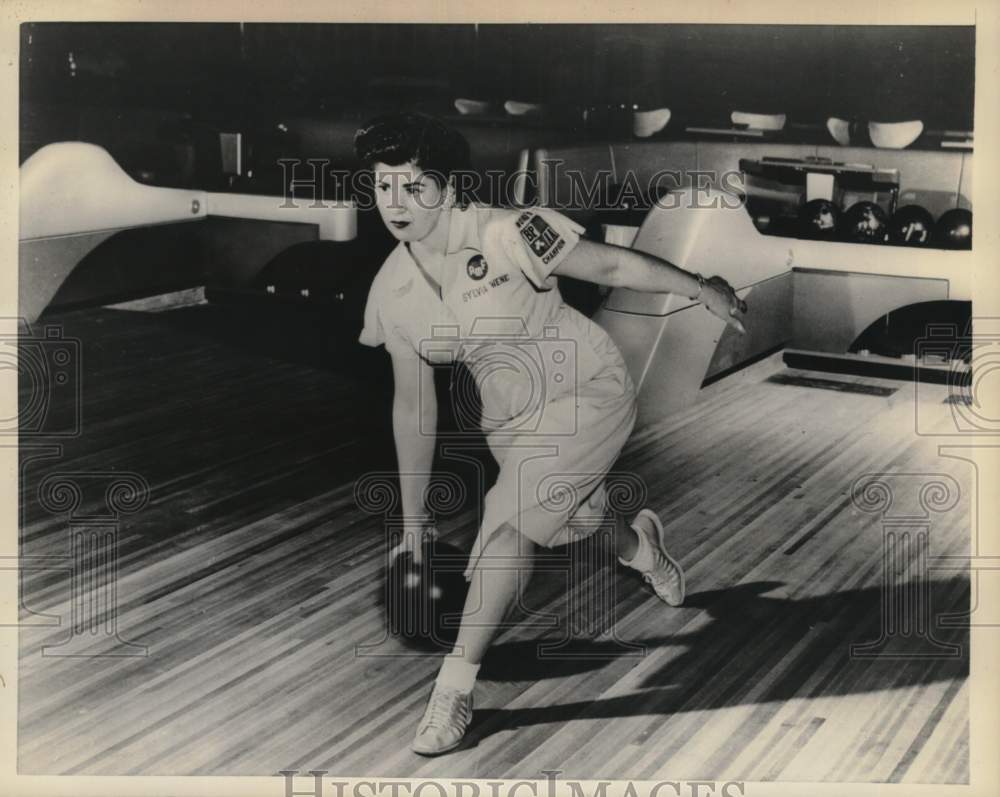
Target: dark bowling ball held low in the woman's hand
[{"x": 424, "y": 601}]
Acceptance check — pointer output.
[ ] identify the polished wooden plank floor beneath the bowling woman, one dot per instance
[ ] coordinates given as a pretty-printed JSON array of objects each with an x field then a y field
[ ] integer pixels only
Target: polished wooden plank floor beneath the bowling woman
[{"x": 254, "y": 579}]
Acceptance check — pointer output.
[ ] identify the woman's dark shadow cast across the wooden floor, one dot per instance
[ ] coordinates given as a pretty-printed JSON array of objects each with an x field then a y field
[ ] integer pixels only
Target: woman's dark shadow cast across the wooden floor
[{"x": 820, "y": 646}]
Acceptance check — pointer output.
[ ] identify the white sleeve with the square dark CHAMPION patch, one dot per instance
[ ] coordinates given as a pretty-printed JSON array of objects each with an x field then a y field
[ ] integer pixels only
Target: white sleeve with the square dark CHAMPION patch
[{"x": 537, "y": 240}]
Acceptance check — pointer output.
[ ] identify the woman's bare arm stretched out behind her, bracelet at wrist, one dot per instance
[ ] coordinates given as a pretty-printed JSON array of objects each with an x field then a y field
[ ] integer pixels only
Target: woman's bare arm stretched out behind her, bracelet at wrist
[{"x": 618, "y": 267}]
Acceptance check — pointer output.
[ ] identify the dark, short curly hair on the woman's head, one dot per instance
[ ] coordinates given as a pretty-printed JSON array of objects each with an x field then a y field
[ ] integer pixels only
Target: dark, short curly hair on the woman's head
[{"x": 405, "y": 136}]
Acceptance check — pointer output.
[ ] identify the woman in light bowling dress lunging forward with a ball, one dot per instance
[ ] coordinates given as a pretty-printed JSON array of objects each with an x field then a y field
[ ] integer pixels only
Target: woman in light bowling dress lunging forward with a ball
[{"x": 488, "y": 274}]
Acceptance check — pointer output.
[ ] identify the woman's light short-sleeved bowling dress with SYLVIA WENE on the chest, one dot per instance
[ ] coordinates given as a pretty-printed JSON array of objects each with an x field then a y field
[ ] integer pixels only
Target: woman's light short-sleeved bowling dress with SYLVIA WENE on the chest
[{"x": 557, "y": 400}]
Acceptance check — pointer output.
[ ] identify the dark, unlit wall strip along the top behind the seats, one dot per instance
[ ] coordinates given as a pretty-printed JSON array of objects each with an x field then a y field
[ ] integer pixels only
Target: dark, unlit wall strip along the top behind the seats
[{"x": 228, "y": 72}]
